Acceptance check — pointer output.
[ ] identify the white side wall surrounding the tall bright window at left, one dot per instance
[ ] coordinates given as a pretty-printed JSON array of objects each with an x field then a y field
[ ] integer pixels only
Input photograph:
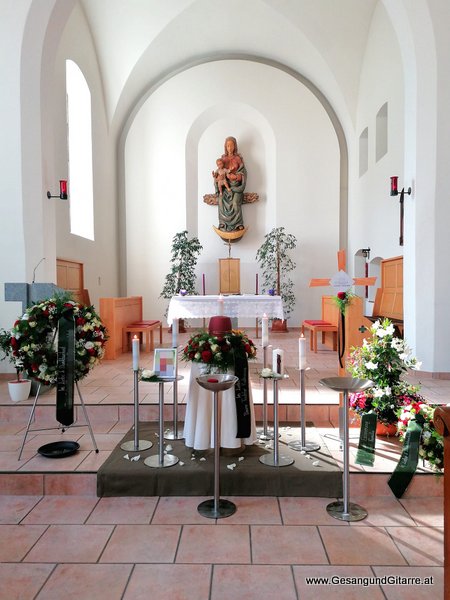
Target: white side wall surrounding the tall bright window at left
[{"x": 100, "y": 257}]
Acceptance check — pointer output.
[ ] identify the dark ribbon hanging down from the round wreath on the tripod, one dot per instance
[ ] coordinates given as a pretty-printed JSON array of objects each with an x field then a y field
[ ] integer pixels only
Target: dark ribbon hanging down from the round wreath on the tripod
[{"x": 65, "y": 370}]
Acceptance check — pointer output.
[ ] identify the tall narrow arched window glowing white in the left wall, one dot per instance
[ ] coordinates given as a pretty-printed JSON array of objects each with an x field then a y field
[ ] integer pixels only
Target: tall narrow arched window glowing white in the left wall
[{"x": 80, "y": 152}]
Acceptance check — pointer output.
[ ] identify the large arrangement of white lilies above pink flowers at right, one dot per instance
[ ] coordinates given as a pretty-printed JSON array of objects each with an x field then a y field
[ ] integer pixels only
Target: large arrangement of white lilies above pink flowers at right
[{"x": 384, "y": 359}]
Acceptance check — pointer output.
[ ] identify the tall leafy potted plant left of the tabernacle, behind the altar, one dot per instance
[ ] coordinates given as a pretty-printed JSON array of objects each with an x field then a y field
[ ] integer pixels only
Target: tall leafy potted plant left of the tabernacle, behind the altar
[{"x": 181, "y": 278}]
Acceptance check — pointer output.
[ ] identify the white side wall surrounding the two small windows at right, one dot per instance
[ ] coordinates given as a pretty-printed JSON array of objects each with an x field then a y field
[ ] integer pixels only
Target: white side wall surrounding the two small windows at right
[{"x": 373, "y": 213}]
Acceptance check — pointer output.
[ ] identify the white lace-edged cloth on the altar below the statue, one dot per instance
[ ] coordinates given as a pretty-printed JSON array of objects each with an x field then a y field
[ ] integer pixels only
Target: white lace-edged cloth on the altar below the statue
[{"x": 245, "y": 305}]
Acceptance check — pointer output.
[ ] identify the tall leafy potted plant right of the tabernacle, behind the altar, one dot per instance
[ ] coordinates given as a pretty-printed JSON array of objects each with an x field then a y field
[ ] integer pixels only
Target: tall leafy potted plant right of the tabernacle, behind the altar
[{"x": 276, "y": 264}]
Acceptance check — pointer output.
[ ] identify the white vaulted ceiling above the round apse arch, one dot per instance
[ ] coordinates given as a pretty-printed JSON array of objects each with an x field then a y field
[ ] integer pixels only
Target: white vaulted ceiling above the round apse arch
[{"x": 140, "y": 42}]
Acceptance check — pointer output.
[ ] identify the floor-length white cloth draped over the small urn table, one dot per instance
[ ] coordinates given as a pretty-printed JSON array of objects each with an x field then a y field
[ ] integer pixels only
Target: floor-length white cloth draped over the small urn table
[{"x": 199, "y": 418}]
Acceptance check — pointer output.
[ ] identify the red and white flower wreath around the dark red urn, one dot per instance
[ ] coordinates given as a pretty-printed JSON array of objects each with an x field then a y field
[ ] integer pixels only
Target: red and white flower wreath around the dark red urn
[{"x": 218, "y": 351}]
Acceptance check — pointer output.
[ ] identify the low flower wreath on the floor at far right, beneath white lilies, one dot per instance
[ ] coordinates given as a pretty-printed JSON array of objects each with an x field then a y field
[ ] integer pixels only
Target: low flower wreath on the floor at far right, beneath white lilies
[{"x": 431, "y": 444}]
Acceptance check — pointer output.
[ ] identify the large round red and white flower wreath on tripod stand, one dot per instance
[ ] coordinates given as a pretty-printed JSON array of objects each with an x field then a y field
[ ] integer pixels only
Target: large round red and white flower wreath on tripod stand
[{"x": 33, "y": 338}]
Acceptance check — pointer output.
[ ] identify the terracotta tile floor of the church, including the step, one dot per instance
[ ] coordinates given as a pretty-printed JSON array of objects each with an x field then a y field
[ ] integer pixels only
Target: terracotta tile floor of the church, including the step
[{"x": 64, "y": 542}]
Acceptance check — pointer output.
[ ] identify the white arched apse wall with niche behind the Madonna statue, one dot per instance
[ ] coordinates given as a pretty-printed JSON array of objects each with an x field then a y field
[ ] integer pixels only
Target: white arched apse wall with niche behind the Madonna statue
[{"x": 291, "y": 154}]
